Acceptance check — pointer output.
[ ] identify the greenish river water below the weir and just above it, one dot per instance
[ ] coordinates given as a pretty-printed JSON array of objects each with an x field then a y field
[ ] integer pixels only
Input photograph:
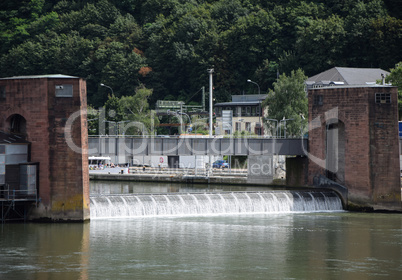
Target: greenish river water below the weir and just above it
[{"x": 291, "y": 245}]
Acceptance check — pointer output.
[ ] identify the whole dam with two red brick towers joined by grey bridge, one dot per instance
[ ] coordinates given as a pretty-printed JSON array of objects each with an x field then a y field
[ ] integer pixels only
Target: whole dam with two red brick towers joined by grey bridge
[{"x": 352, "y": 148}]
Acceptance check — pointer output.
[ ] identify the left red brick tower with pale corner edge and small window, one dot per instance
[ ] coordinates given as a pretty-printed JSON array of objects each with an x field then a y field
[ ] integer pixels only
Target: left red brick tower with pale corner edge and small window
[{"x": 50, "y": 112}]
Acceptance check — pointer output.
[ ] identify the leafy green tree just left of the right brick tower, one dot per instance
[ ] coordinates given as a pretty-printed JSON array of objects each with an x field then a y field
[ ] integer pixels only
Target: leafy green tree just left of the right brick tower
[{"x": 288, "y": 101}]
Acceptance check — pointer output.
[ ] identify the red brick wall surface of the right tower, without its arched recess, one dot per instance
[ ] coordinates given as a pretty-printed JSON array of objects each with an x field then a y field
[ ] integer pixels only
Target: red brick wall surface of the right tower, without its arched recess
[{"x": 367, "y": 153}]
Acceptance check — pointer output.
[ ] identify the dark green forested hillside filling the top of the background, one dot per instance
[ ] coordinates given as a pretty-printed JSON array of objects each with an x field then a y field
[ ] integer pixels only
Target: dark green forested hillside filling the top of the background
[{"x": 168, "y": 45}]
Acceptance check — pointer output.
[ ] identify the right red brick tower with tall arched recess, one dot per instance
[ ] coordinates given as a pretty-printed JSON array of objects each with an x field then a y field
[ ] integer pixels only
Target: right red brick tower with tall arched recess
[{"x": 353, "y": 140}]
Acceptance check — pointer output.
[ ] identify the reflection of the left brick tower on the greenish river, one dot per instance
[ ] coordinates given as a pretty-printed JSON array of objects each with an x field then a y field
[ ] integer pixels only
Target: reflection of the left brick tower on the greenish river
[{"x": 44, "y": 251}]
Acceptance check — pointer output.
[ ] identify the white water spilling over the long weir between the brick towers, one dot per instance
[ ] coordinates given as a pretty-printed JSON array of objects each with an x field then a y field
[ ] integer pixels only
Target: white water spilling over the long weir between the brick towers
[{"x": 140, "y": 205}]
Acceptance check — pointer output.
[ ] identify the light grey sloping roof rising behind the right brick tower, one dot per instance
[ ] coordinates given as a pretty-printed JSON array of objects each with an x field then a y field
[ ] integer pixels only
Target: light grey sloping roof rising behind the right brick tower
[{"x": 349, "y": 76}]
